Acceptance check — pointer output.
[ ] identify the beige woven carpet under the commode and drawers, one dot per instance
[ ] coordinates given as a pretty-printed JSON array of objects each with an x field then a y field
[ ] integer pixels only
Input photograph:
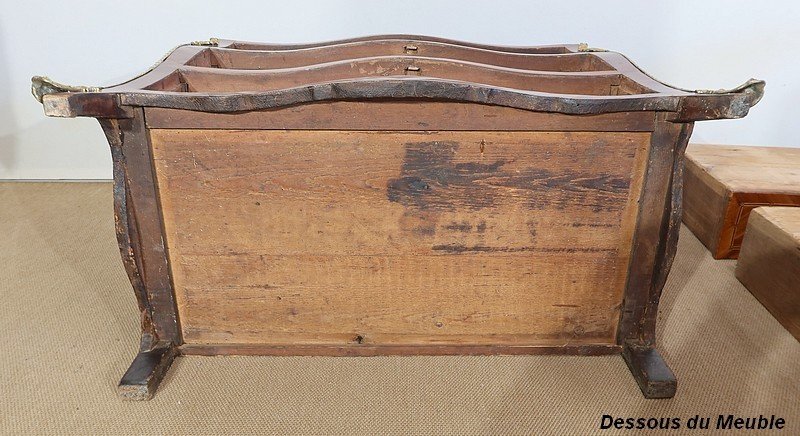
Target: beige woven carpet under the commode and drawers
[{"x": 68, "y": 330}]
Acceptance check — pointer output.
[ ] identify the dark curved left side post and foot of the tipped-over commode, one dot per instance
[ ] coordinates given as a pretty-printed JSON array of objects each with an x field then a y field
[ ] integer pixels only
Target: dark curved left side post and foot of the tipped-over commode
[{"x": 141, "y": 242}]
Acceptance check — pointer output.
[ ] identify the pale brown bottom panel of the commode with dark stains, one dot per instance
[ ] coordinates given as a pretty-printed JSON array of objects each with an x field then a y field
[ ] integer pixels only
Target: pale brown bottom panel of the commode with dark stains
[{"x": 333, "y": 237}]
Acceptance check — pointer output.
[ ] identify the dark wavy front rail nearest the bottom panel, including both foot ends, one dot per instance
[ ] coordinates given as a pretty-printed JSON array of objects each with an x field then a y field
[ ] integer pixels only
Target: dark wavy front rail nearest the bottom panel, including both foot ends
[{"x": 396, "y": 88}]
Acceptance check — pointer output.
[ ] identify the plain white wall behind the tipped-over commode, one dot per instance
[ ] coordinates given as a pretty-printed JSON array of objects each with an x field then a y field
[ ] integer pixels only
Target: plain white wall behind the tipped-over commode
[{"x": 690, "y": 44}]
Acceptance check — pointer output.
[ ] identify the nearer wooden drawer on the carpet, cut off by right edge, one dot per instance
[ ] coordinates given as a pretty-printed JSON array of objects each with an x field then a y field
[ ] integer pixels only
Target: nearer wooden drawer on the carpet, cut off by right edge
[{"x": 769, "y": 263}]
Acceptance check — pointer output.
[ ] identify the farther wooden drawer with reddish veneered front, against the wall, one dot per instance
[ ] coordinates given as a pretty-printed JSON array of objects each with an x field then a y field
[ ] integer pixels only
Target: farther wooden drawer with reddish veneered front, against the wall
[{"x": 724, "y": 183}]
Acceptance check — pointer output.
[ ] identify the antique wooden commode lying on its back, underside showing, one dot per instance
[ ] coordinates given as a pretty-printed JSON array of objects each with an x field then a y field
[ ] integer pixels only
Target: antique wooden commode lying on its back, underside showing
[{"x": 396, "y": 195}]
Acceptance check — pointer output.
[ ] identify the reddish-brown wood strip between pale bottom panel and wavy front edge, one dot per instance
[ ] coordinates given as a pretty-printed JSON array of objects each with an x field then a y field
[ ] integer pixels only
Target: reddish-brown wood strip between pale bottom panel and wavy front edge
[{"x": 399, "y": 115}]
